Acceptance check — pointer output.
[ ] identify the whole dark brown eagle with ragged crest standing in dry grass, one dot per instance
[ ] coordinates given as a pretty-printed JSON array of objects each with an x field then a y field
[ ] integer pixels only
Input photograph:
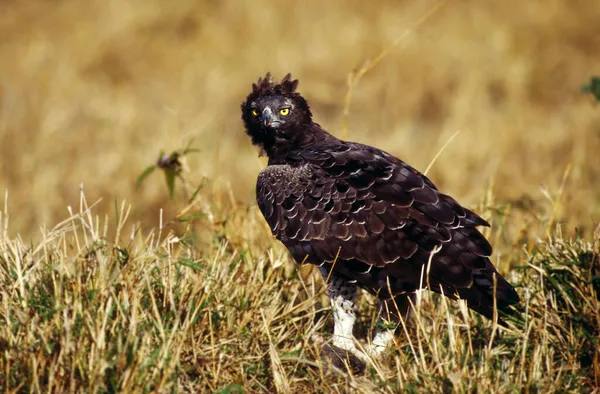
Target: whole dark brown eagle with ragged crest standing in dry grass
[{"x": 365, "y": 218}]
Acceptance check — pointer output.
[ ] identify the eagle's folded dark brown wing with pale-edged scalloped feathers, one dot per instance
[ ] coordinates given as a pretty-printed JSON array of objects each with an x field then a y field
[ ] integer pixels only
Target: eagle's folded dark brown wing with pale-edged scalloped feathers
[{"x": 364, "y": 208}]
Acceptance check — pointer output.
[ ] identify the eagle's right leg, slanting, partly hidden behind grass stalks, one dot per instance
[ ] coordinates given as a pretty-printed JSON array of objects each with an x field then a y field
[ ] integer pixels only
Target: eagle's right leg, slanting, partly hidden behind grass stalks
[{"x": 391, "y": 312}]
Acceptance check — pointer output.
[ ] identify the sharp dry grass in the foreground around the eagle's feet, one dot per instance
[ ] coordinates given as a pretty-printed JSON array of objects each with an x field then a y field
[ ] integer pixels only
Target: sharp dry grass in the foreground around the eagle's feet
[{"x": 152, "y": 312}]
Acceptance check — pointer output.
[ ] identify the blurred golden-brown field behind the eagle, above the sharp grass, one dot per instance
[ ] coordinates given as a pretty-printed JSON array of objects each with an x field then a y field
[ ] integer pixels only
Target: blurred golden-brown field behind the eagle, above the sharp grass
[{"x": 92, "y": 90}]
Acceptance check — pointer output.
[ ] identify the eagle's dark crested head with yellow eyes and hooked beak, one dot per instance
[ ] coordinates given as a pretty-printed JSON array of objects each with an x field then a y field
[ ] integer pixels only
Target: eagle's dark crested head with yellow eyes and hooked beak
[{"x": 275, "y": 112}]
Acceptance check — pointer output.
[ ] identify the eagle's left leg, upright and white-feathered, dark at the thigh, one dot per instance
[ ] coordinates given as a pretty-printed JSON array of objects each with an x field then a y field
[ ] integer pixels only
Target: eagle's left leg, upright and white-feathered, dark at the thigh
[{"x": 342, "y": 294}]
